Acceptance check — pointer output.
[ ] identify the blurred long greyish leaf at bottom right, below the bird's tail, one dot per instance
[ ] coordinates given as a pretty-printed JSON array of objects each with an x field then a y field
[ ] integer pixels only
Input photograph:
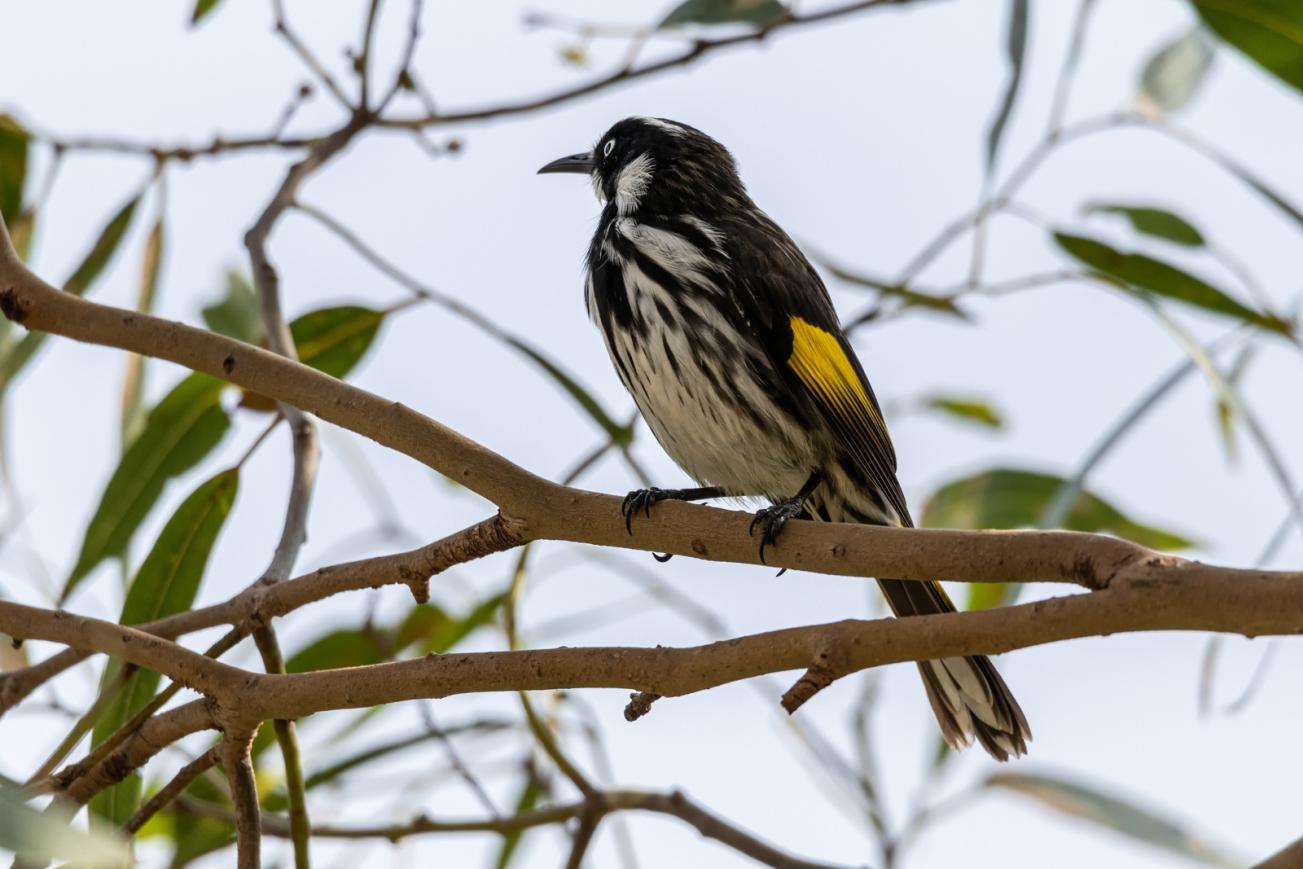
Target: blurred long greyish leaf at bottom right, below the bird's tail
[{"x": 1081, "y": 802}]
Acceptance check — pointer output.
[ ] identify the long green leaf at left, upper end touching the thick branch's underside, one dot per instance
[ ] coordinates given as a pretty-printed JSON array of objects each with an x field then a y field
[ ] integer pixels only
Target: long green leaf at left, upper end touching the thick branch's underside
[{"x": 179, "y": 432}]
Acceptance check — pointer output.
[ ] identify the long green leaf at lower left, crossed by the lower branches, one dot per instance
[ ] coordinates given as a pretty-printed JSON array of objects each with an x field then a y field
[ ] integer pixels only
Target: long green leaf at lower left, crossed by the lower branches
[{"x": 166, "y": 584}]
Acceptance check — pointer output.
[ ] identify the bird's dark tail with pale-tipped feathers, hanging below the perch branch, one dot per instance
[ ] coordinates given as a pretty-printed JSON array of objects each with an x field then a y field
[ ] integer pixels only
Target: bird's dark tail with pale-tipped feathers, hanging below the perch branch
[{"x": 967, "y": 695}]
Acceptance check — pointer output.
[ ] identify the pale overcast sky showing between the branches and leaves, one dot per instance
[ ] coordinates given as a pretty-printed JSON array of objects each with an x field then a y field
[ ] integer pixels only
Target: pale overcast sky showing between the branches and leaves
[{"x": 861, "y": 137}]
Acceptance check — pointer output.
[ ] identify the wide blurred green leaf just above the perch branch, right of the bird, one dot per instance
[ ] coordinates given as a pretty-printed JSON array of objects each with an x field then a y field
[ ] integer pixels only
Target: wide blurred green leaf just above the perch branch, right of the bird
[{"x": 1012, "y": 498}]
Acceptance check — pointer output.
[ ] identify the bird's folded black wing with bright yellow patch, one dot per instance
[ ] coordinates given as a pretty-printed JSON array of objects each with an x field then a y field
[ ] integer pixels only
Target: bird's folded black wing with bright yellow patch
[{"x": 792, "y": 308}]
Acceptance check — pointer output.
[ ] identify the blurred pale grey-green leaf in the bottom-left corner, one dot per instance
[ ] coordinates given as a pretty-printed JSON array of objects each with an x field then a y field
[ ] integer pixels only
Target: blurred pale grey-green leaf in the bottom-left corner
[{"x": 45, "y": 836}]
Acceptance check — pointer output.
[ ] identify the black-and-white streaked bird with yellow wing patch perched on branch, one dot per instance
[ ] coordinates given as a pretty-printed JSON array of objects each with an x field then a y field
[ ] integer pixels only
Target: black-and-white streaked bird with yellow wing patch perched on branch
[{"x": 729, "y": 343}]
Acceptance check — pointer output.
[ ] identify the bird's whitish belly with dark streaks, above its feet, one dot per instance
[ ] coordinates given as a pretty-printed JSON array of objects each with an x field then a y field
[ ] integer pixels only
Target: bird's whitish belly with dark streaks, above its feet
[{"x": 712, "y": 416}]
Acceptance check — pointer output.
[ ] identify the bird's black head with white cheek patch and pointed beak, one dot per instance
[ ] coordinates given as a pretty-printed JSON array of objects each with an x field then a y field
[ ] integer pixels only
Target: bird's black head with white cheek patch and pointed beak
[{"x": 650, "y": 164}]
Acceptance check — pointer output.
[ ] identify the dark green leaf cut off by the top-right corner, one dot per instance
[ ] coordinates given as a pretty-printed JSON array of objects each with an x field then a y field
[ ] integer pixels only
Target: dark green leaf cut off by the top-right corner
[{"x": 1268, "y": 32}]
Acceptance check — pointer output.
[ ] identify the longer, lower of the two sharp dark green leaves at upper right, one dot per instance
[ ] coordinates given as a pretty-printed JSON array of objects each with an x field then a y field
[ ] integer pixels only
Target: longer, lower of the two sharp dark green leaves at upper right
[{"x": 1163, "y": 279}]
